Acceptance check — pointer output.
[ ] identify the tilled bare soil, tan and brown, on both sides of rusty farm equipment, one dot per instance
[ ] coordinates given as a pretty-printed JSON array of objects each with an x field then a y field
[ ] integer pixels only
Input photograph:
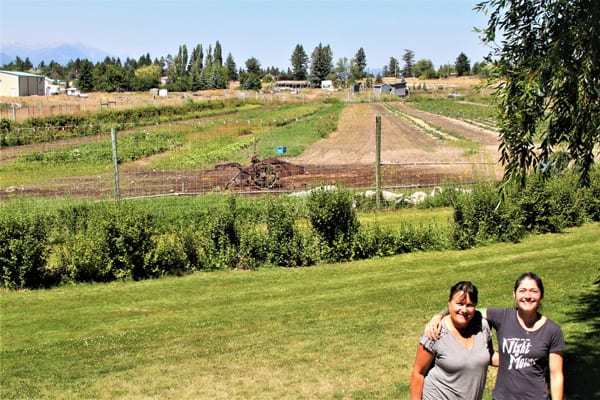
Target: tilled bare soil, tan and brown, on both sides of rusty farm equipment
[{"x": 410, "y": 157}]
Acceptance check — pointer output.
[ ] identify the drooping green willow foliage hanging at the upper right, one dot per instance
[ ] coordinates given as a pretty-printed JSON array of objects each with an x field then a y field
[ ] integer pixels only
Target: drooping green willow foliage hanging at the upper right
[{"x": 548, "y": 83}]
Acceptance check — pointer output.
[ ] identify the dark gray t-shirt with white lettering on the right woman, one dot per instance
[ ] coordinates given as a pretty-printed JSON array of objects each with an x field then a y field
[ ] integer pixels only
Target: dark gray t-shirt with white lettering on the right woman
[{"x": 524, "y": 355}]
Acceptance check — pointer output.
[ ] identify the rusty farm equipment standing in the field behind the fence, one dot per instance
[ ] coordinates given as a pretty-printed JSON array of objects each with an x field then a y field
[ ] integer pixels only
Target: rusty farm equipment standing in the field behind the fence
[{"x": 261, "y": 174}]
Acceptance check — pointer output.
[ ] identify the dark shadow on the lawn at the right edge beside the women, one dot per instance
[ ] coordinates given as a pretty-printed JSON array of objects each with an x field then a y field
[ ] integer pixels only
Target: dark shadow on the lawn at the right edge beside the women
[{"x": 582, "y": 365}]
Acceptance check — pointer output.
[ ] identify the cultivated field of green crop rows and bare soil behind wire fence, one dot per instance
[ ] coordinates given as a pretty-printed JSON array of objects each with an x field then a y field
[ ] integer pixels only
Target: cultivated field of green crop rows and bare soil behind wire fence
[{"x": 233, "y": 151}]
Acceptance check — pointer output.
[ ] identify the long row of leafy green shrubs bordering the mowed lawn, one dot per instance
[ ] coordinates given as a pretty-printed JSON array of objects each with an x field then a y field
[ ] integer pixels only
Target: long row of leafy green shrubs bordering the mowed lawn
[{"x": 102, "y": 242}]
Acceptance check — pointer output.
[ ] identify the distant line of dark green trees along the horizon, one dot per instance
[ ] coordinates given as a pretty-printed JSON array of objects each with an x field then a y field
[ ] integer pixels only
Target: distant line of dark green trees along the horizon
[{"x": 207, "y": 68}]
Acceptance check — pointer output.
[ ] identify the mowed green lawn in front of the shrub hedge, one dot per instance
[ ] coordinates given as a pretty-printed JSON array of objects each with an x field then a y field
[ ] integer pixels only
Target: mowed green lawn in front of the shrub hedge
[{"x": 340, "y": 331}]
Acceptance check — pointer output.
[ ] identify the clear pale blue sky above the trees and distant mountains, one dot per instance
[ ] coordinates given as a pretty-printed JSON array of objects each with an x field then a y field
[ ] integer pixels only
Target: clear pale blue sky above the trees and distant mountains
[{"x": 269, "y": 30}]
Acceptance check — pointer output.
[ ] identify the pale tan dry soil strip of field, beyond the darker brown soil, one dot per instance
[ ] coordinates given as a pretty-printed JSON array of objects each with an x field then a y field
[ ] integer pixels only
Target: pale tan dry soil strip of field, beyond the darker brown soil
[{"x": 403, "y": 140}]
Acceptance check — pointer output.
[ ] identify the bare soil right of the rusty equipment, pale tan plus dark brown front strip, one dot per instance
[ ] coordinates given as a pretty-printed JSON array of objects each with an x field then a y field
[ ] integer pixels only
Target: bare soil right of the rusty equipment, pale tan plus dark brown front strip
[{"x": 412, "y": 157}]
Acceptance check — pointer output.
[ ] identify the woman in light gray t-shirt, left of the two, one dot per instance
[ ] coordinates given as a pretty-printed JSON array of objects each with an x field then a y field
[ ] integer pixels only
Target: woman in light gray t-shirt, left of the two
[{"x": 454, "y": 366}]
